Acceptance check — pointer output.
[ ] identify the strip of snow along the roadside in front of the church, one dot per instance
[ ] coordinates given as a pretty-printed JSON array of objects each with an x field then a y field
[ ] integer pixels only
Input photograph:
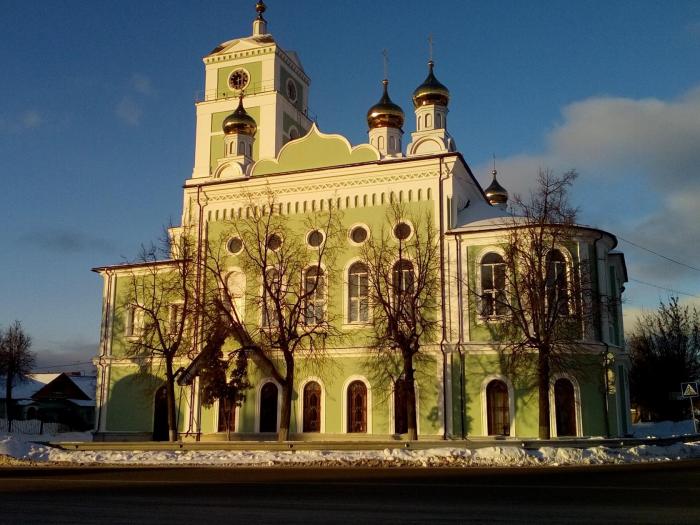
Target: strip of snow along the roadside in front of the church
[{"x": 22, "y": 447}]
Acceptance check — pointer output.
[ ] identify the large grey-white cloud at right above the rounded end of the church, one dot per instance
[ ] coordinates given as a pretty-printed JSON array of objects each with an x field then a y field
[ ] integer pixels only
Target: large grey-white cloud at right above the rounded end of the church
[{"x": 639, "y": 161}]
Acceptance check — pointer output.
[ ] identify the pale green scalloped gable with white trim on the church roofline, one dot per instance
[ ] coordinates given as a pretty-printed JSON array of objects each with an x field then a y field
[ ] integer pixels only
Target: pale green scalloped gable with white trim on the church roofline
[{"x": 315, "y": 150}]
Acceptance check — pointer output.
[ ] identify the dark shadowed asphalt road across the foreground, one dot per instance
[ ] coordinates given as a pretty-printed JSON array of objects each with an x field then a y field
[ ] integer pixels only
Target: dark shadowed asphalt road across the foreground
[{"x": 658, "y": 493}]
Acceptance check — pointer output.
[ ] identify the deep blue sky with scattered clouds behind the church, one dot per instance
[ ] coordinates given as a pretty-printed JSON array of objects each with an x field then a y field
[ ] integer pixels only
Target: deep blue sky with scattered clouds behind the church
[{"x": 97, "y": 122}]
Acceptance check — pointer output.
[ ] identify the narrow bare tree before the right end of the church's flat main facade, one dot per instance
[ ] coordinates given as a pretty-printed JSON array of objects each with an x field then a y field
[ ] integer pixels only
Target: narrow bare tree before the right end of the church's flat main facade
[{"x": 403, "y": 284}]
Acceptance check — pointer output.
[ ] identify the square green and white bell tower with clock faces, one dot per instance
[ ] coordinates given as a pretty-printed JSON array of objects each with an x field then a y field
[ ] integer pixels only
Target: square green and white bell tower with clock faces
[{"x": 276, "y": 90}]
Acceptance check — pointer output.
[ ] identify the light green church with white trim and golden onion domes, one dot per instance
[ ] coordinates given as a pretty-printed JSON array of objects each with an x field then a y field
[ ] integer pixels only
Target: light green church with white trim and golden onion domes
[{"x": 255, "y": 138}]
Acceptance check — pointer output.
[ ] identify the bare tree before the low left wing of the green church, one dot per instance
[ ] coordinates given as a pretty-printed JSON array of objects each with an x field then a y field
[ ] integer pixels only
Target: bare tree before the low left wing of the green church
[{"x": 160, "y": 306}]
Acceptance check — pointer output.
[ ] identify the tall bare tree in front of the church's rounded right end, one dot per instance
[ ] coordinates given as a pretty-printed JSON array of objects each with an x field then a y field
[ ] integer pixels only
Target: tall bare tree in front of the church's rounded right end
[{"x": 536, "y": 300}]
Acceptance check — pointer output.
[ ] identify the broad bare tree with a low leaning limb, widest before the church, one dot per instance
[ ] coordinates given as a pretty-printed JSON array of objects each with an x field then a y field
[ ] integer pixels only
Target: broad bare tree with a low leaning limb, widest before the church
[{"x": 274, "y": 304}]
